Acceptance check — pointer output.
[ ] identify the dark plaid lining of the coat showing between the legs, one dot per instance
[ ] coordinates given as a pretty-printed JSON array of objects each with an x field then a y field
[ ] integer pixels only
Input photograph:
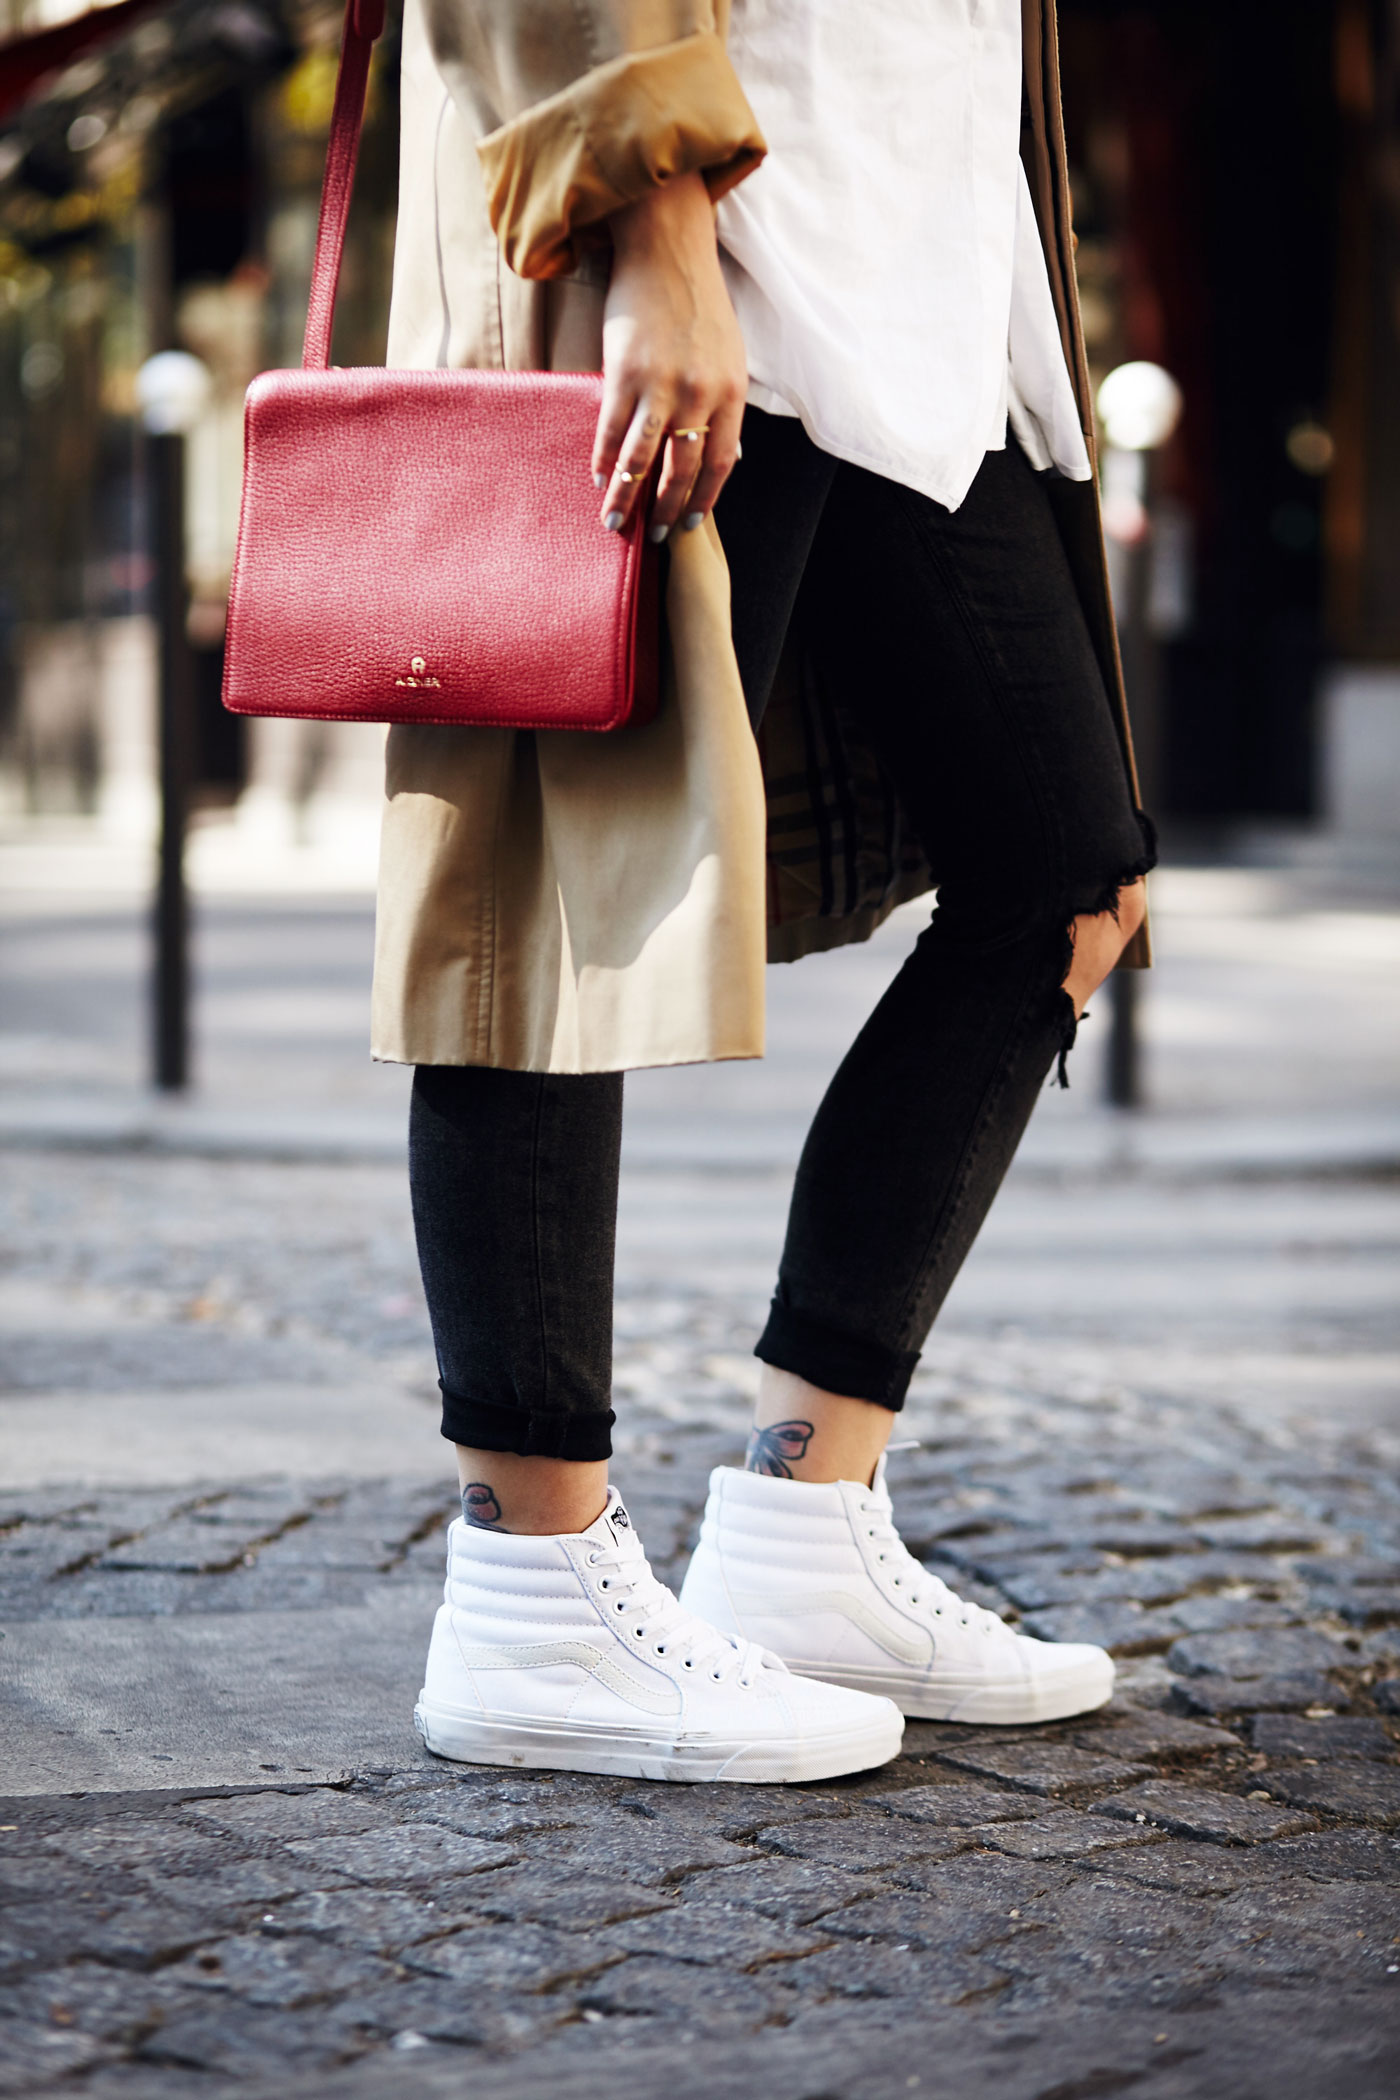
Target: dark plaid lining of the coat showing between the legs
[{"x": 841, "y": 849}]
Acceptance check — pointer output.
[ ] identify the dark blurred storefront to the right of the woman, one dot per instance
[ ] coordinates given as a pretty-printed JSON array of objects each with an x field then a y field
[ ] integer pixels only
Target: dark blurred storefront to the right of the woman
[{"x": 1237, "y": 196}]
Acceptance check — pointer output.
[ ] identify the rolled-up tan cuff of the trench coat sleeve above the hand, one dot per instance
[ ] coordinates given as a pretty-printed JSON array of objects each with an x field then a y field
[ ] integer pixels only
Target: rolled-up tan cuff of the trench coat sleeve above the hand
[{"x": 564, "y": 165}]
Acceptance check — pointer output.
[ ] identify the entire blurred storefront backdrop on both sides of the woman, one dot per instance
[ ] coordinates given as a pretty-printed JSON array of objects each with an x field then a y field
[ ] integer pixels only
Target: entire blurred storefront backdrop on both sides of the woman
[{"x": 1237, "y": 184}]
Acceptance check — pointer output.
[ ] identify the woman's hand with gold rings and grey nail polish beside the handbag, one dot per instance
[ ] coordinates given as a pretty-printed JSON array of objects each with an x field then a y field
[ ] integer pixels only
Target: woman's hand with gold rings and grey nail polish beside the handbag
[{"x": 673, "y": 362}]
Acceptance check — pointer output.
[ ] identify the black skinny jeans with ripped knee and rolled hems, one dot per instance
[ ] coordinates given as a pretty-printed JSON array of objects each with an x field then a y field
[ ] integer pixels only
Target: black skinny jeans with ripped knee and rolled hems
[{"x": 962, "y": 642}]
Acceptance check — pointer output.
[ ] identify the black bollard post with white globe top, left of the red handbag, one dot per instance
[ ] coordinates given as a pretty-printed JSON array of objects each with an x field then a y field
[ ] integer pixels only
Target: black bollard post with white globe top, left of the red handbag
[{"x": 171, "y": 387}]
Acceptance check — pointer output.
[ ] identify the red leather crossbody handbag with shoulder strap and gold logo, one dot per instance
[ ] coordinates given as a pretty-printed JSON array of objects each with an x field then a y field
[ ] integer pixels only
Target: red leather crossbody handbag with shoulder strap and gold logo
[{"x": 425, "y": 547}]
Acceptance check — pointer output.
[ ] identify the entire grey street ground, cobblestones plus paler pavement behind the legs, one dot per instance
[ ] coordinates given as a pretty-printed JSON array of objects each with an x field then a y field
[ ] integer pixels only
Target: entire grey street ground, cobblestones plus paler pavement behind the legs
[{"x": 1160, "y": 1412}]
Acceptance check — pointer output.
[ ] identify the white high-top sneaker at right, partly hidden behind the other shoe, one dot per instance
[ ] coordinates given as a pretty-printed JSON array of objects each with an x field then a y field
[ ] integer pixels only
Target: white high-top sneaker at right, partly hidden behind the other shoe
[{"x": 820, "y": 1576}]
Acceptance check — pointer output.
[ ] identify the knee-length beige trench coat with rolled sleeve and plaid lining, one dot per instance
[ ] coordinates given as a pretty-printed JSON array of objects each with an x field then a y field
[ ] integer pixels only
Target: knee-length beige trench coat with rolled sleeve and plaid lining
[{"x": 593, "y": 904}]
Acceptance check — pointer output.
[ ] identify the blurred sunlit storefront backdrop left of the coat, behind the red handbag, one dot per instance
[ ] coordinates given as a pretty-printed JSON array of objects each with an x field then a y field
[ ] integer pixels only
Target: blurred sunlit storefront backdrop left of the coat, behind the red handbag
[{"x": 158, "y": 188}]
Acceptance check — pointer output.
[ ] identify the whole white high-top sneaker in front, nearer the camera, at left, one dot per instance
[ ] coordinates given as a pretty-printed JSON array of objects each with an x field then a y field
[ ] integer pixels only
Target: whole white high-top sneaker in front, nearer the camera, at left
[{"x": 568, "y": 1654}]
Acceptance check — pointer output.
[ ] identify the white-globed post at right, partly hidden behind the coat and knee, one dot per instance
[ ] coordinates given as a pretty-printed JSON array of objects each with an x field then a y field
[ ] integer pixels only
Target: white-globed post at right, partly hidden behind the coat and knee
[{"x": 1139, "y": 406}]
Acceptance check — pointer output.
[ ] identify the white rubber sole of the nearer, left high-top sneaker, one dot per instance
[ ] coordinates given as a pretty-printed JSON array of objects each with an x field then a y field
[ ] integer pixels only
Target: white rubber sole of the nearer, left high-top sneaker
[{"x": 471, "y": 1740}]
